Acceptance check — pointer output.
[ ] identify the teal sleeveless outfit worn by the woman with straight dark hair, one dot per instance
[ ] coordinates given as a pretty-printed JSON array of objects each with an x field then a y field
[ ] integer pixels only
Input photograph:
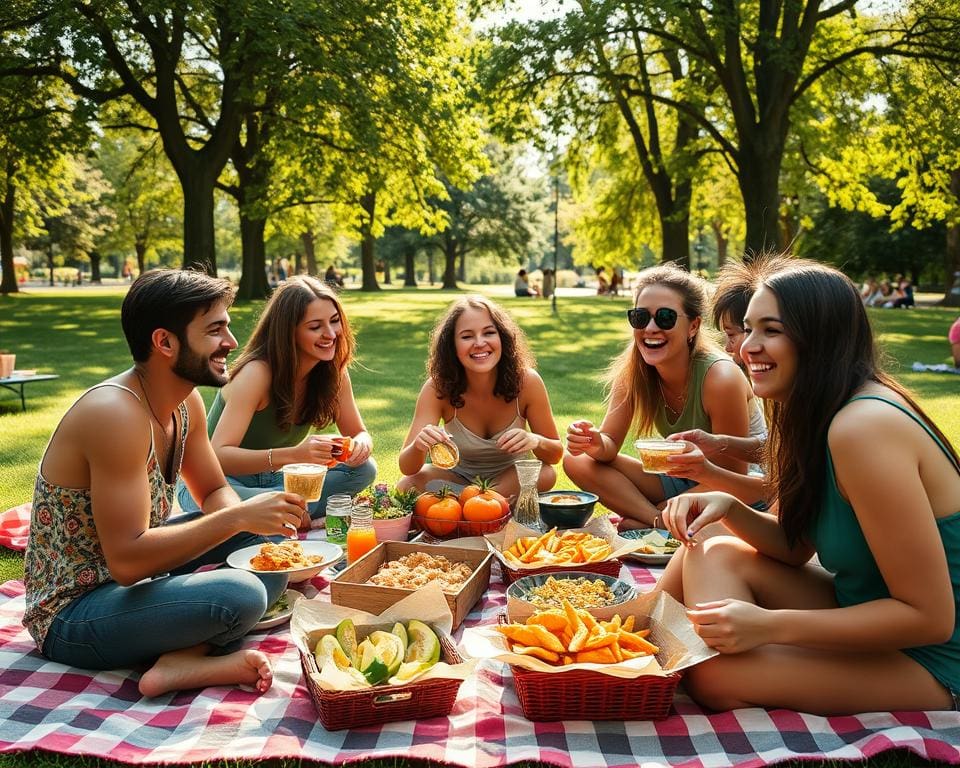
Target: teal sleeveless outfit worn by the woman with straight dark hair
[{"x": 843, "y": 550}]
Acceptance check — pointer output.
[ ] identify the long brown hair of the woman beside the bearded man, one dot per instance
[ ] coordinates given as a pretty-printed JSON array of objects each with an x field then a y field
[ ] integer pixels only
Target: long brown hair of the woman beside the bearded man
[{"x": 274, "y": 341}]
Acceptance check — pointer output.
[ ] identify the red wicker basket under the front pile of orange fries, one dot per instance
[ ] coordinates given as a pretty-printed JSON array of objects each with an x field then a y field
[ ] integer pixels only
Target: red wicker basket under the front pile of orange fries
[{"x": 585, "y": 695}]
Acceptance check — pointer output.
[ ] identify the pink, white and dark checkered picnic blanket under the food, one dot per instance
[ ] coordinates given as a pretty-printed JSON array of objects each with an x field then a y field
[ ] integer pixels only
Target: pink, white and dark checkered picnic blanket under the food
[{"x": 61, "y": 709}]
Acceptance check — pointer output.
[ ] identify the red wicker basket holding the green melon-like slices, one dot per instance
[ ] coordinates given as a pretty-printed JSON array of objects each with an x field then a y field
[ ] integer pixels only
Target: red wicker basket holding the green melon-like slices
[{"x": 384, "y": 703}]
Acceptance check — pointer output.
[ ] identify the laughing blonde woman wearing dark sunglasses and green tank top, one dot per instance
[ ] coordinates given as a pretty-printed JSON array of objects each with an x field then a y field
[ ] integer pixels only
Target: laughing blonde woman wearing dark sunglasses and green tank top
[{"x": 669, "y": 378}]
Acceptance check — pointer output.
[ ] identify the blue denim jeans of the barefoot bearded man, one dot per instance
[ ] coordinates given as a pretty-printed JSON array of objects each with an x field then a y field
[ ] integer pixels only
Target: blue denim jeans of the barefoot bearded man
[{"x": 114, "y": 626}]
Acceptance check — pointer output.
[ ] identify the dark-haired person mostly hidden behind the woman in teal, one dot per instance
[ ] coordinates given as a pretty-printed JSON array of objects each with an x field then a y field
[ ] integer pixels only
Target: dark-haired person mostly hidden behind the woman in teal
[{"x": 733, "y": 291}]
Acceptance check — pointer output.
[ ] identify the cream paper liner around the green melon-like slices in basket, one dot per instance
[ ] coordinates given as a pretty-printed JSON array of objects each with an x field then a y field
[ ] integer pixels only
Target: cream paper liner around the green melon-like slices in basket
[{"x": 312, "y": 619}]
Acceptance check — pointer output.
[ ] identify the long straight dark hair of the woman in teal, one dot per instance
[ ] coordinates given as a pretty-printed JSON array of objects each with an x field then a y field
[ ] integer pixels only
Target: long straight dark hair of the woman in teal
[{"x": 823, "y": 316}]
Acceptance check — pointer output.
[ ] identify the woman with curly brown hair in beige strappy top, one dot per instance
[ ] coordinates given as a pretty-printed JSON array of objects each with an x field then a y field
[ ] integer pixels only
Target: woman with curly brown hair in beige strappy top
[{"x": 482, "y": 394}]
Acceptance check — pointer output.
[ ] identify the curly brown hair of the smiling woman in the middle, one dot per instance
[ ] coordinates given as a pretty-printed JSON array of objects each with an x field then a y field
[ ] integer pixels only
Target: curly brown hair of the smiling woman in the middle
[{"x": 445, "y": 368}]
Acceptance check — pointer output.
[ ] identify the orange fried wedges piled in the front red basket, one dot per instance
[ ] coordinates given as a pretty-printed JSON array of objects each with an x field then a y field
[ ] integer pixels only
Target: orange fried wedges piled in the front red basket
[{"x": 574, "y": 636}]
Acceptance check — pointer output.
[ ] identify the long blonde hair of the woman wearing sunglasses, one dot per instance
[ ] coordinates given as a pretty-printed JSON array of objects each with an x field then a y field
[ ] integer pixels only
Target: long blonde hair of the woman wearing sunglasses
[{"x": 629, "y": 373}]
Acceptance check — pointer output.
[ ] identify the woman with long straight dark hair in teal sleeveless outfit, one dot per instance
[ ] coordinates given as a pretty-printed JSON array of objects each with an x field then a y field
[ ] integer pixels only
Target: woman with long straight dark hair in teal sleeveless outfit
[{"x": 863, "y": 478}]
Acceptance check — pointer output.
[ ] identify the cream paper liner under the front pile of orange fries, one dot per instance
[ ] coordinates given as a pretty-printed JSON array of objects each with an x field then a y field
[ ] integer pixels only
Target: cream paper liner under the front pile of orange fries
[{"x": 670, "y": 630}]
